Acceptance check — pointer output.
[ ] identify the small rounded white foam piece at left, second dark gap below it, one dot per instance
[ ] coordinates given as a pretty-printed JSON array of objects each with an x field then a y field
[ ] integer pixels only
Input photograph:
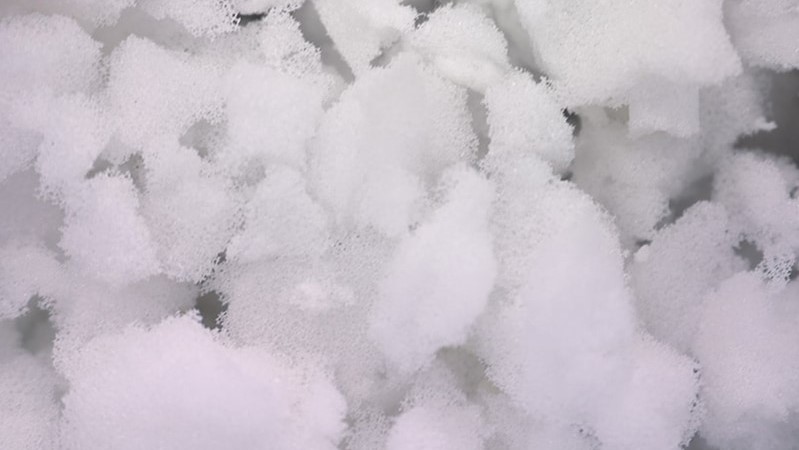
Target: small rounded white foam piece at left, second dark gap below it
[{"x": 104, "y": 234}]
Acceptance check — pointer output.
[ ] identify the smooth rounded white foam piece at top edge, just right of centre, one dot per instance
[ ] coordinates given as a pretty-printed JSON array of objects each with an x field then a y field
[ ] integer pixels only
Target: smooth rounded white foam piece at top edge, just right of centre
[{"x": 463, "y": 45}]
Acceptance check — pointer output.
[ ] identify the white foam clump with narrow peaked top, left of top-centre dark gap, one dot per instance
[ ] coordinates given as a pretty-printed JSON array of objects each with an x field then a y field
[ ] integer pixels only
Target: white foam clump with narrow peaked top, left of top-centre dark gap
[{"x": 282, "y": 80}]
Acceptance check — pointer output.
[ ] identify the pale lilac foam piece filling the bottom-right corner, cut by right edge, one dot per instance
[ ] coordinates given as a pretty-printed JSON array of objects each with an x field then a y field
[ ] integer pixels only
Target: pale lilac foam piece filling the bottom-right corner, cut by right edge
[{"x": 746, "y": 347}]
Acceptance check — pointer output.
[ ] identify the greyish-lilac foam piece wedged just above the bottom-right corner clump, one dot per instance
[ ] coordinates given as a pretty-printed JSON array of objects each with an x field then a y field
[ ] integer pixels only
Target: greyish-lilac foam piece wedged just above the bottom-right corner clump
[{"x": 684, "y": 262}]
